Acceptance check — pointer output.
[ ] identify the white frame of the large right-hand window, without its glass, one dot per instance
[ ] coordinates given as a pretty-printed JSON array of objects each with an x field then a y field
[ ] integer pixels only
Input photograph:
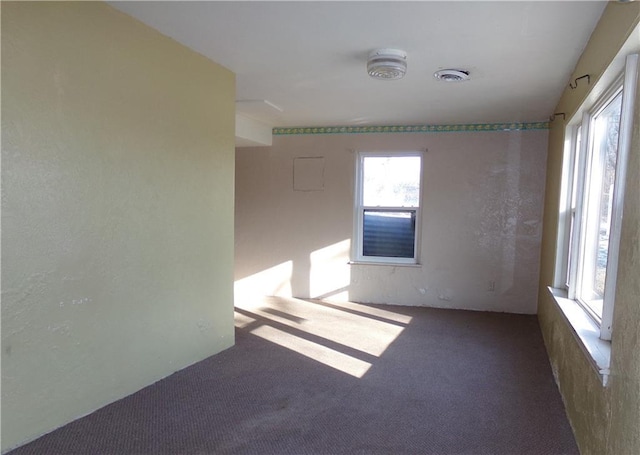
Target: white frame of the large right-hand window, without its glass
[{"x": 570, "y": 245}]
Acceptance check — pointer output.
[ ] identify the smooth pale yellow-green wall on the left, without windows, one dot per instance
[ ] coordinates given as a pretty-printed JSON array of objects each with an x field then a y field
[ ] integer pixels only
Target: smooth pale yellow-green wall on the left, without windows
[{"x": 117, "y": 211}]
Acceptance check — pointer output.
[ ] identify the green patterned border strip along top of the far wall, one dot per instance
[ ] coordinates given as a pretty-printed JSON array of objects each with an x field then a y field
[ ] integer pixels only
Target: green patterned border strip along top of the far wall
[{"x": 517, "y": 126}]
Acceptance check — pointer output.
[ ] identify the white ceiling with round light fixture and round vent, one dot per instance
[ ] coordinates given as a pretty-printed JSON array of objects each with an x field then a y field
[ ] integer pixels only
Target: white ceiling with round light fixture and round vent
[{"x": 309, "y": 58}]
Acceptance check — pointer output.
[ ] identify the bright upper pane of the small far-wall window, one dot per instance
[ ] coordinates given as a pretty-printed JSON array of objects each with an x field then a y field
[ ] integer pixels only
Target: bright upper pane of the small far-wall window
[{"x": 391, "y": 181}]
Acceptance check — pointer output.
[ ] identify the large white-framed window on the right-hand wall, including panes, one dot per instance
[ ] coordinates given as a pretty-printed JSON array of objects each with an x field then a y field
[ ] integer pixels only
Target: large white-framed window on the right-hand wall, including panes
[{"x": 596, "y": 152}]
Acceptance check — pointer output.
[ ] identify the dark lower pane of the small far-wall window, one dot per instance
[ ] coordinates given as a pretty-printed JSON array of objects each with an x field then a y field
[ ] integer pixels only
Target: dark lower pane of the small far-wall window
[{"x": 389, "y": 234}]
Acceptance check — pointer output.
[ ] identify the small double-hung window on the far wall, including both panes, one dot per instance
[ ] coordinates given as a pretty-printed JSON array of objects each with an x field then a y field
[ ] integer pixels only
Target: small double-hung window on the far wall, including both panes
[{"x": 388, "y": 207}]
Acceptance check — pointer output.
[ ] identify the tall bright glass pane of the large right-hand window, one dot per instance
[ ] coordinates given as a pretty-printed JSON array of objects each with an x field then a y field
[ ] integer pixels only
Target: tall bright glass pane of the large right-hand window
[{"x": 601, "y": 181}]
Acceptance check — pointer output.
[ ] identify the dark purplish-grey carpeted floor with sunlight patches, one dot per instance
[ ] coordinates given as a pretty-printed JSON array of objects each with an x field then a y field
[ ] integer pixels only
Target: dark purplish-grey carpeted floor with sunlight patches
[{"x": 309, "y": 377}]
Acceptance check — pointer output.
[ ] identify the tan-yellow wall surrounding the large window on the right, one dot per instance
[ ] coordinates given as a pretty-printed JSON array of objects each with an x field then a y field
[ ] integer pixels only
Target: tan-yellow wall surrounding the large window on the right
[{"x": 606, "y": 420}]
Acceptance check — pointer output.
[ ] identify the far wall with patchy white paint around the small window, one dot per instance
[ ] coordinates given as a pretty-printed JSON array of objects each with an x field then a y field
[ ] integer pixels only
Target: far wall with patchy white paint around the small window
[{"x": 482, "y": 207}]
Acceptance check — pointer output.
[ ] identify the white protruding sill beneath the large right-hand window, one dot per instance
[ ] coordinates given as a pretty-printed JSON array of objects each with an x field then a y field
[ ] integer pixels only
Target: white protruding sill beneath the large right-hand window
[{"x": 586, "y": 332}]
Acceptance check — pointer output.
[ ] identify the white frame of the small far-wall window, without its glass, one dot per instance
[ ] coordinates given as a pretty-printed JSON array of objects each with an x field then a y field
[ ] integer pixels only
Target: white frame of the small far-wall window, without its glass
[{"x": 360, "y": 208}]
